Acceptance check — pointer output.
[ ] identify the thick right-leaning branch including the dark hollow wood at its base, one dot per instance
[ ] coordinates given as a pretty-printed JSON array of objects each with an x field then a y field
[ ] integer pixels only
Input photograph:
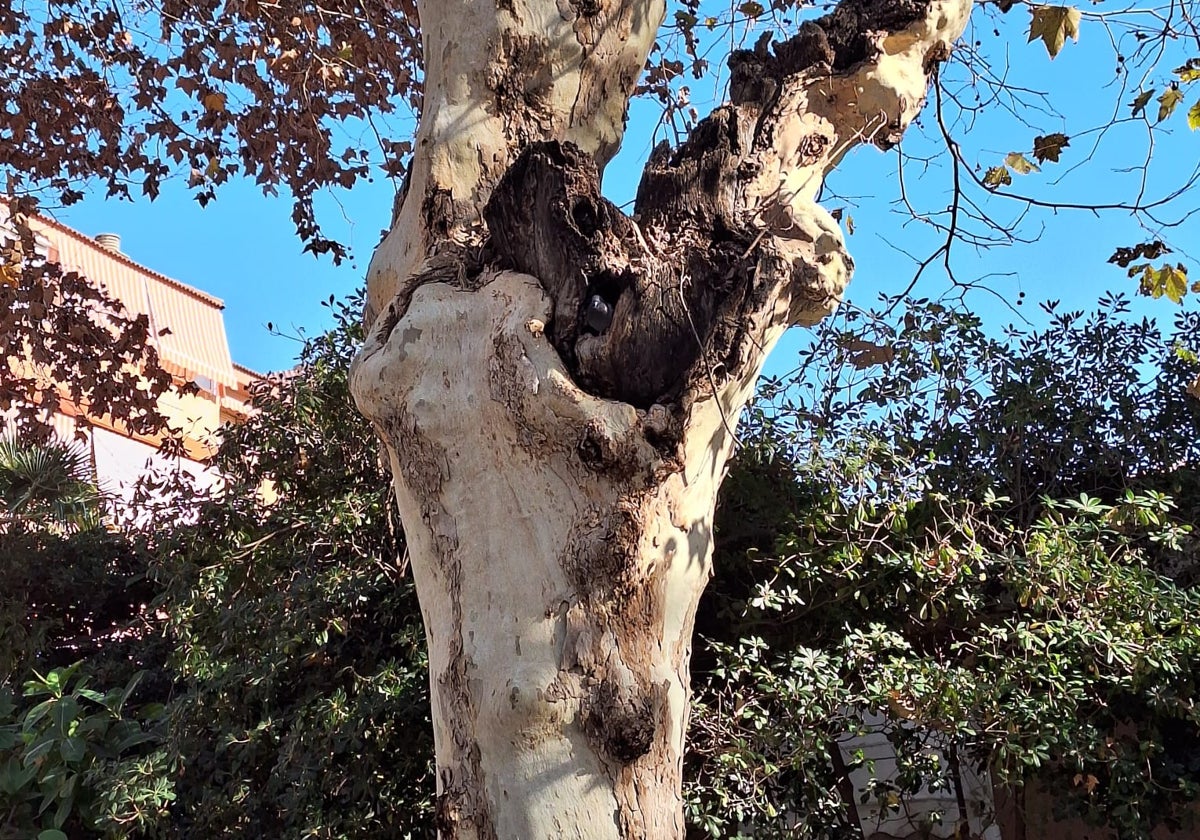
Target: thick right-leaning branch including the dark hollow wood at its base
[{"x": 728, "y": 243}]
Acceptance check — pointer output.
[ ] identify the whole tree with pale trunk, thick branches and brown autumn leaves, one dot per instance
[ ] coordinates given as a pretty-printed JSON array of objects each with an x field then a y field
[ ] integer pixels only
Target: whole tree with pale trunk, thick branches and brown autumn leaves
[{"x": 556, "y": 383}]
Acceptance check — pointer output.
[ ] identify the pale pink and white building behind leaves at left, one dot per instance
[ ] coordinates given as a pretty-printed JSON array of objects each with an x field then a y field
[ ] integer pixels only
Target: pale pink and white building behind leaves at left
[{"x": 193, "y": 346}]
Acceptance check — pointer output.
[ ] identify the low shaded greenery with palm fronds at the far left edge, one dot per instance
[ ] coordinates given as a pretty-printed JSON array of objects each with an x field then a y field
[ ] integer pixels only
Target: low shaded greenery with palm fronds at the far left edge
[{"x": 73, "y": 759}]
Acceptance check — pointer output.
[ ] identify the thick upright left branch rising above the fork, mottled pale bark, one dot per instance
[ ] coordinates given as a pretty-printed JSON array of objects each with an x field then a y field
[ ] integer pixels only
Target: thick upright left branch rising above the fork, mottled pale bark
[{"x": 501, "y": 76}]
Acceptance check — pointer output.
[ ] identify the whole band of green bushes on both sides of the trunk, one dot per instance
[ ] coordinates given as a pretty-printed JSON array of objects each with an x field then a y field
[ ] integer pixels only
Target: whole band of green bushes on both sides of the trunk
[{"x": 971, "y": 545}]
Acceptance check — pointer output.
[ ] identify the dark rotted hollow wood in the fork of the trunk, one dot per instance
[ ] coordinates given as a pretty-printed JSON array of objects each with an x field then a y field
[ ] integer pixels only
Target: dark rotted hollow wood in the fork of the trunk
[{"x": 631, "y": 322}]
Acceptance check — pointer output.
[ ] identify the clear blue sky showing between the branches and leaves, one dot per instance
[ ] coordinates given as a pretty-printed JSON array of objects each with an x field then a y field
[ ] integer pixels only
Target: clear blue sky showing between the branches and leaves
[{"x": 244, "y": 250}]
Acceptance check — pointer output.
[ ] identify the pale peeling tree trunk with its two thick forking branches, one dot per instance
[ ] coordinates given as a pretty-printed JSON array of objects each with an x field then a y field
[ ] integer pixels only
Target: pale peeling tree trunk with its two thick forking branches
[{"x": 557, "y": 383}]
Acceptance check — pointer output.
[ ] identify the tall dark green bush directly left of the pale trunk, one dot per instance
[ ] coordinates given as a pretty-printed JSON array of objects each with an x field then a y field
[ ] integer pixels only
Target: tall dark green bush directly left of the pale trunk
[{"x": 297, "y": 637}]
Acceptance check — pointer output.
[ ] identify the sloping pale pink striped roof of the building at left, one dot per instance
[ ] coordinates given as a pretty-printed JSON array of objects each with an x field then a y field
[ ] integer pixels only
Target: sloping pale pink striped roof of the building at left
[{"x": 196, "y": 347}]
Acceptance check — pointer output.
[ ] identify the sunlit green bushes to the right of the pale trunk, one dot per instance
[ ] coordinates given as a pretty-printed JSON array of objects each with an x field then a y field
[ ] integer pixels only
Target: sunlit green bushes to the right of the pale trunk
[{"x": 892, "y": 557}]
